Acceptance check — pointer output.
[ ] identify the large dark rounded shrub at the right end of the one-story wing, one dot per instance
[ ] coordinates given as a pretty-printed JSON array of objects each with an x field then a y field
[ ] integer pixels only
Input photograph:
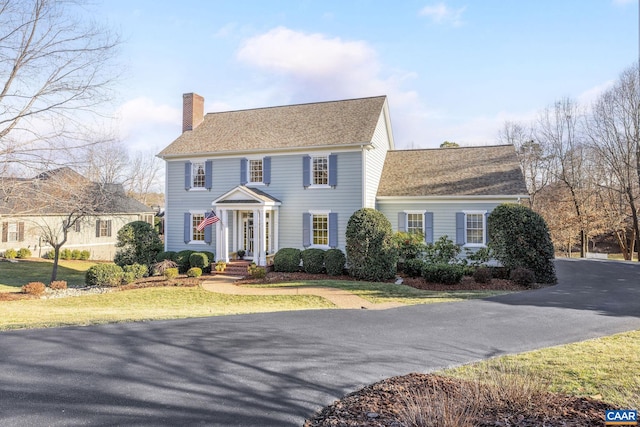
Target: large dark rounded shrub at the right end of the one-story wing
[{"x": 519, "y": 237}]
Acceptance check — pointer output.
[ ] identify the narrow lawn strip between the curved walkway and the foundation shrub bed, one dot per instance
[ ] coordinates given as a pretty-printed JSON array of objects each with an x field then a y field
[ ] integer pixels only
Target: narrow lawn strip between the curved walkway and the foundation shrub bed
[{"x": 377, "y": 292}]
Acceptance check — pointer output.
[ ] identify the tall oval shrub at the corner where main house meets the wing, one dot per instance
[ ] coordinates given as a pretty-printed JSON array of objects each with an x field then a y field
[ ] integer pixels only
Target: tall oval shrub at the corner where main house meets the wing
[{"x": 371, "y": 252}]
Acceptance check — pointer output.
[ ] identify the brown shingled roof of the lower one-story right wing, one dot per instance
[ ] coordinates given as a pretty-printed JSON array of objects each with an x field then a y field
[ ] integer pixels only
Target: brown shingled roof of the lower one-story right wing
[{"x": 468, "y": 171}]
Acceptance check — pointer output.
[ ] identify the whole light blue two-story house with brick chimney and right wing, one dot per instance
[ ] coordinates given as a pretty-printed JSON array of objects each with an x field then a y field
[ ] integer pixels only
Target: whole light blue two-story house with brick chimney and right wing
[{"x": 292, "y": 176}]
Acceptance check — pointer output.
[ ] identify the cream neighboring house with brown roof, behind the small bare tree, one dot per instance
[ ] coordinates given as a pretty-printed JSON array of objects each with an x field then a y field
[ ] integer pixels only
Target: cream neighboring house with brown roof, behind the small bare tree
[{"x": 24, "y": 219}]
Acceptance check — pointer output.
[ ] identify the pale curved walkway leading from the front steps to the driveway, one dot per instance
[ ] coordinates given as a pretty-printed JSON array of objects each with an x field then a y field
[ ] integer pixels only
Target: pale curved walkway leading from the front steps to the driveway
[{"x": 341, "y": 299}]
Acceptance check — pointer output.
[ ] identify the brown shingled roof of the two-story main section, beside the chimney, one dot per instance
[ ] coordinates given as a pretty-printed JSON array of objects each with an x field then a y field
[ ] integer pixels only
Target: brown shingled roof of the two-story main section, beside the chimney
[{"x": 319, "y": 124}]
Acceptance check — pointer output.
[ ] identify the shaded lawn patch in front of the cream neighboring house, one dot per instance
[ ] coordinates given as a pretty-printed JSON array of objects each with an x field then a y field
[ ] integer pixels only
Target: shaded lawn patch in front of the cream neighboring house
[{"x": 14, "y": 275}]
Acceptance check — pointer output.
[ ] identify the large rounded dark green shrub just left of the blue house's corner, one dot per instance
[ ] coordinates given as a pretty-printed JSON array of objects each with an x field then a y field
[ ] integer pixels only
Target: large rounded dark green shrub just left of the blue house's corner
[{"x": 139, "y": 243}]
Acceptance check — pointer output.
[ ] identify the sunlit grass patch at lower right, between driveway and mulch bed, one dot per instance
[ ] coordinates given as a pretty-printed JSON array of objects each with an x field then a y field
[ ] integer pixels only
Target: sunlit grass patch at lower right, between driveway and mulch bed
[{"x": 607, "y": 368}]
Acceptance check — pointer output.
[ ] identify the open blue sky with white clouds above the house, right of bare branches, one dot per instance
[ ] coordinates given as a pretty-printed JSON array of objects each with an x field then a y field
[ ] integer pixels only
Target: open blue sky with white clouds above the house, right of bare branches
[{"x": 453, "y": 70}]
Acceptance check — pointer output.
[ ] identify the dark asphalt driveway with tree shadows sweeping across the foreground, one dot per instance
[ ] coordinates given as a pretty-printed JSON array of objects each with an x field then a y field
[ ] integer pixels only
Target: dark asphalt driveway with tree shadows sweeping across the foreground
[{"x": 276, "y": 369}]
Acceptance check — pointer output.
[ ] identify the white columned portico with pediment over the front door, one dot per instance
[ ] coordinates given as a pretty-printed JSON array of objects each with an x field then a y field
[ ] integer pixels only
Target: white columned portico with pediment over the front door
[{"x": 248, "y": 222}]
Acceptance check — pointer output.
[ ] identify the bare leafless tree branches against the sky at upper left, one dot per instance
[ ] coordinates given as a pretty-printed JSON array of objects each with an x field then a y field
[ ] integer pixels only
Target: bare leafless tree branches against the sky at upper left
[{"x": 55, "y": 73}]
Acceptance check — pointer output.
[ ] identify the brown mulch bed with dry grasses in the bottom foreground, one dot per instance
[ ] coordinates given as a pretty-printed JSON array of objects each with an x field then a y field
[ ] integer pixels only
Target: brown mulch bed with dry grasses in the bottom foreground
[{"x": 384, "y": 403}]
